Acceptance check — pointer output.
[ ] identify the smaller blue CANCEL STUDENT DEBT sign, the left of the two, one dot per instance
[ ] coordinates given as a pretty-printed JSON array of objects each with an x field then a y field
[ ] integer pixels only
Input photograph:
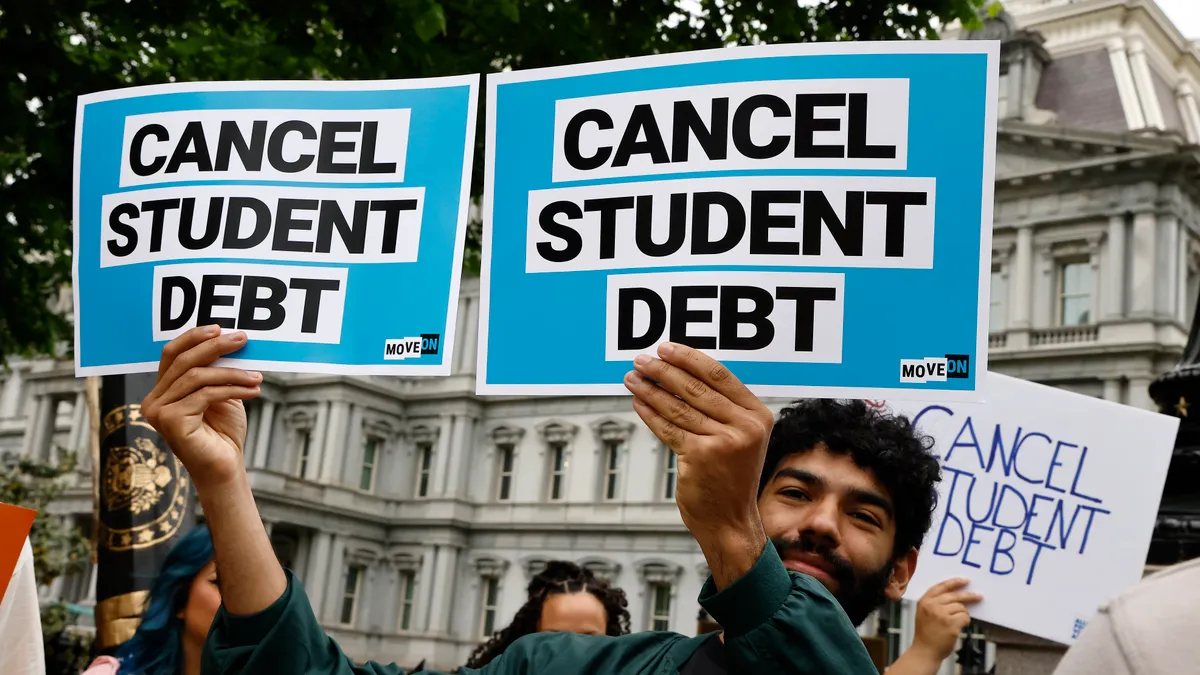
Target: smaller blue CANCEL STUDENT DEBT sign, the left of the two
[{"x": 327, "y": 220}]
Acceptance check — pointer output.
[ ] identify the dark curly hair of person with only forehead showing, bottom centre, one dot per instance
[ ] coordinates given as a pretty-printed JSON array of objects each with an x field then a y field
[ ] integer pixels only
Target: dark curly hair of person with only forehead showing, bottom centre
[{"x": 559, "y": 577}]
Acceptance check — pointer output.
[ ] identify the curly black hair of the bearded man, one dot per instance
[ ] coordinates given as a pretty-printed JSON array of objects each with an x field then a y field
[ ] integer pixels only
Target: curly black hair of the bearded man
[{"x": 887, "y": 446}]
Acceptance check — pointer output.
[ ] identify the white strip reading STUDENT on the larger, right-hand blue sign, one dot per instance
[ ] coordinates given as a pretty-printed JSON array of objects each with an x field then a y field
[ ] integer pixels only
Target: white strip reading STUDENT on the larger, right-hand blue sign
[{"x": 862, "y": 223}]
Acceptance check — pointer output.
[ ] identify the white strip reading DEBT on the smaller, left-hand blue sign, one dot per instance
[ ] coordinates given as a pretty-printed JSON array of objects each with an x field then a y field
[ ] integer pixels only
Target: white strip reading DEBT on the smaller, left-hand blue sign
[{"x": 277, "y": 303}]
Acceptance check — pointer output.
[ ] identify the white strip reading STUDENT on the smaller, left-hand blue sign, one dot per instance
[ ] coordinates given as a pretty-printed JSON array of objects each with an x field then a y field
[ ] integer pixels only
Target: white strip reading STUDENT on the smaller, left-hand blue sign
[{"x": 289, "y": 224}]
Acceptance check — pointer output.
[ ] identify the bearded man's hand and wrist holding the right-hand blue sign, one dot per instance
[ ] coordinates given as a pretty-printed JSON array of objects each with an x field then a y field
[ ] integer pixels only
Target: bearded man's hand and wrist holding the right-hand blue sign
[{"x": 719, "y": 431}]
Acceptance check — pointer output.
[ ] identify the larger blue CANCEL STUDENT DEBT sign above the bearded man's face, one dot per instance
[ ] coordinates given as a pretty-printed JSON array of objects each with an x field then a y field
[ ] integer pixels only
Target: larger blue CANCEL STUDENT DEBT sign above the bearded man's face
[{"x": 819, "y": 217}]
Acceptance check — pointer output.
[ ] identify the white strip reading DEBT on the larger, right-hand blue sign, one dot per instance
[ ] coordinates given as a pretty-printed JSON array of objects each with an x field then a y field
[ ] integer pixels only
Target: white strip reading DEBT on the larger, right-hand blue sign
[{"x": 731, "y": 315}]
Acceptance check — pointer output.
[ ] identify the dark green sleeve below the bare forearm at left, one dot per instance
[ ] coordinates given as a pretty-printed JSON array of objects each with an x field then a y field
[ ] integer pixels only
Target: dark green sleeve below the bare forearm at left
[{"x": 284, "y": 640}]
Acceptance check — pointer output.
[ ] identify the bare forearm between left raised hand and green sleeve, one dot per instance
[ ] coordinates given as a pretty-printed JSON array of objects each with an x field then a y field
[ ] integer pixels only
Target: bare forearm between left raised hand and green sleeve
[{"x": 251, "y": 577}]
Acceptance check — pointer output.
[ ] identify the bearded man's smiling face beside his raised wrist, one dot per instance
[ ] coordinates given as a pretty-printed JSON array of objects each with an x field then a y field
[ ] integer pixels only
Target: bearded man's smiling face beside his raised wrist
[{"x": 835, "y": 522}]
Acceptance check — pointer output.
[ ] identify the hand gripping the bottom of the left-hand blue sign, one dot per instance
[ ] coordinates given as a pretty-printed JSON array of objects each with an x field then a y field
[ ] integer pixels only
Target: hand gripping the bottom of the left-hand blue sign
[{"x": 197, "y": 409}]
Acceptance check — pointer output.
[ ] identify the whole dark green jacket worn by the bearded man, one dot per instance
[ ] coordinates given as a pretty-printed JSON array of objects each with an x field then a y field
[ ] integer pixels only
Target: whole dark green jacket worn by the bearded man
[{"x": 776, "y": 623}]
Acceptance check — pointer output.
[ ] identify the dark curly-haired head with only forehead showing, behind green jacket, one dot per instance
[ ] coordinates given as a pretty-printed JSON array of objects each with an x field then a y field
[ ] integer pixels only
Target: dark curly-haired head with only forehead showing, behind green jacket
[{"x": 563, "y": 598}]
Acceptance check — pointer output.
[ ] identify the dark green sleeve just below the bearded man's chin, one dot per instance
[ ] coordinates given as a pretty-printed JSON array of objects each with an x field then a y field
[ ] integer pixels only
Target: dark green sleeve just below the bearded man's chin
[{"x": 784, "y": 623}]
